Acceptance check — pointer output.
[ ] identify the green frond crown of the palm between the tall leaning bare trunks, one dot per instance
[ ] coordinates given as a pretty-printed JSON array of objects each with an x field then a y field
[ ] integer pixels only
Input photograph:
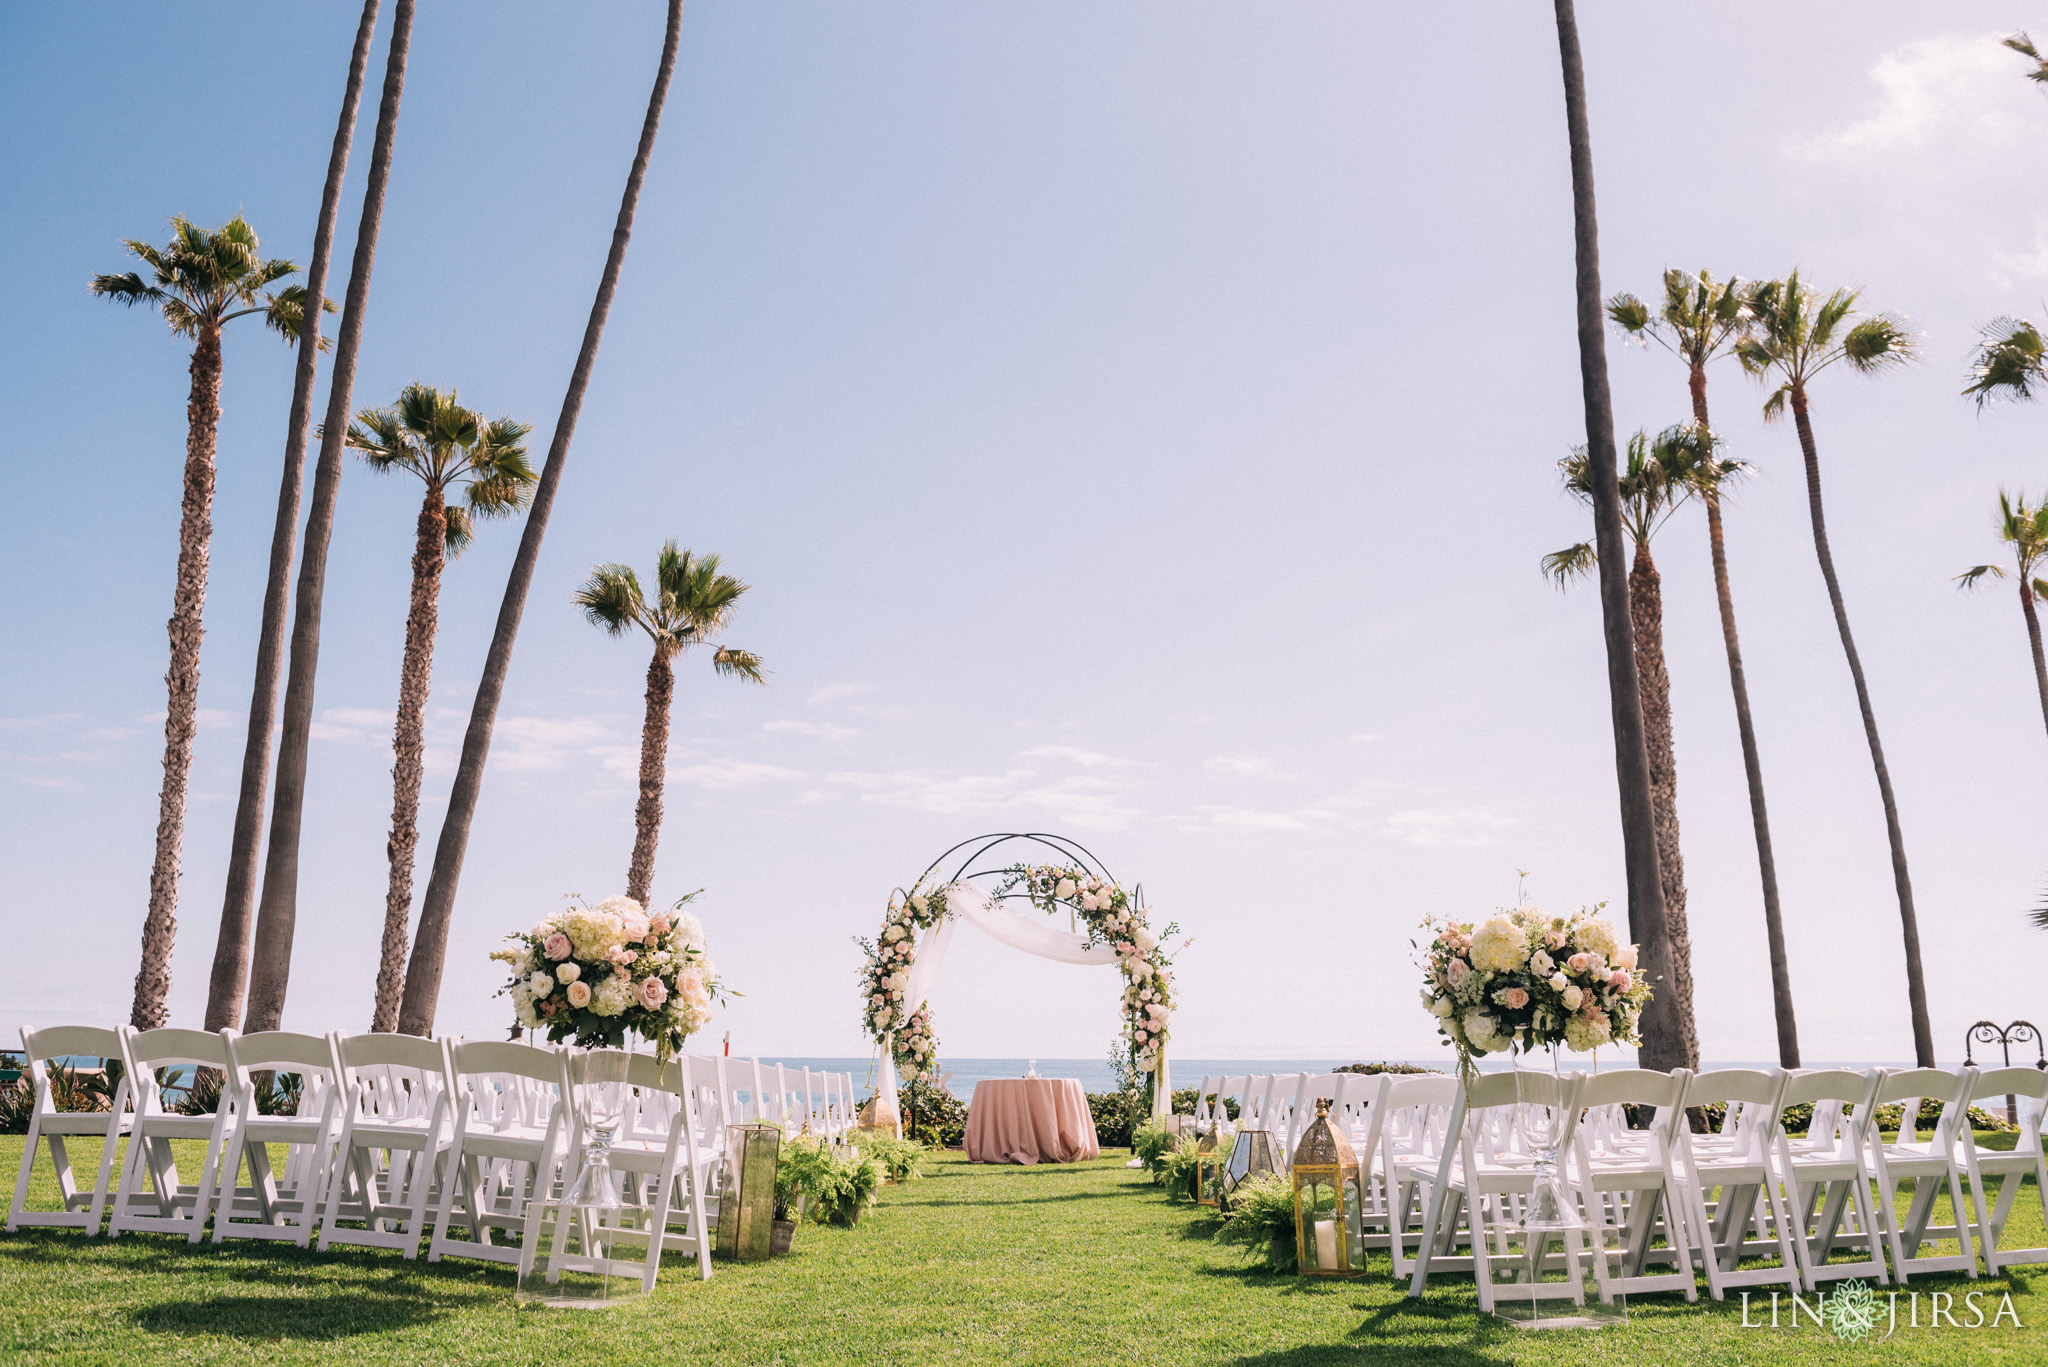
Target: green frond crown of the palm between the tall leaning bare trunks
[{"x": 431, "y": 436}]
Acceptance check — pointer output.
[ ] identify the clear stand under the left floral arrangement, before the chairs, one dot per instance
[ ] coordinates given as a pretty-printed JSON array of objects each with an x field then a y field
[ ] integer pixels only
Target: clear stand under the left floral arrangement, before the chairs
[{"x": 568, "y": 1257}]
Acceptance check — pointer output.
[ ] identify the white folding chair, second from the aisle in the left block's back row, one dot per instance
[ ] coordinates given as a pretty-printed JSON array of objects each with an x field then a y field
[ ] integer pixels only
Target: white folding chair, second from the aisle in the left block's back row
[{"x": 509, "y": 1116}]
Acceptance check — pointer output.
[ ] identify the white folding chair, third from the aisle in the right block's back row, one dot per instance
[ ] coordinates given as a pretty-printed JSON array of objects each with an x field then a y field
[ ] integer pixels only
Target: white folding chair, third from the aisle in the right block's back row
[{"x": 1748, "y": 1216}]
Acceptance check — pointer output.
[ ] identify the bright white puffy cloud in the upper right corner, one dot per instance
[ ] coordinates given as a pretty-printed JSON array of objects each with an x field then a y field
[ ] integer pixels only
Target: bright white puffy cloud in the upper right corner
[{"x": 1951, "y": 91}]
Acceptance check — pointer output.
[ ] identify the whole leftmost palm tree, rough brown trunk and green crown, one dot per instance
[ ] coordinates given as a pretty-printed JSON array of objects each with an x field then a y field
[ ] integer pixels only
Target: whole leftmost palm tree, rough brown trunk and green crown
[{"x": 200, "y": 284}]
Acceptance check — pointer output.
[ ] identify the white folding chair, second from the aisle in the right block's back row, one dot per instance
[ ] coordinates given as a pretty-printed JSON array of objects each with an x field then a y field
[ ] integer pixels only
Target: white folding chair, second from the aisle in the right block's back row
[{"x": 1639, "y": 1173}]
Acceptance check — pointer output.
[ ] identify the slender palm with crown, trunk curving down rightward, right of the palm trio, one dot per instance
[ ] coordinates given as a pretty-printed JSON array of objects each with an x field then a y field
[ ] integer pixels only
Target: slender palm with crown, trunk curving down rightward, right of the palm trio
[{"x": 1797, "y": 337}]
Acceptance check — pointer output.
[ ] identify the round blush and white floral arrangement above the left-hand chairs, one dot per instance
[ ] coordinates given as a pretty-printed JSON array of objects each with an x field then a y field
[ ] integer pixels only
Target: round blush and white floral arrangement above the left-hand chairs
[{"x": 595, "y": 972}]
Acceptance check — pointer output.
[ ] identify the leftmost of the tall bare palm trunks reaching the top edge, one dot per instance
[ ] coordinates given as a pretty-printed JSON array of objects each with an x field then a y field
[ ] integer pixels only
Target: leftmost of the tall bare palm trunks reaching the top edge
[{"x": 239, "y": 909}]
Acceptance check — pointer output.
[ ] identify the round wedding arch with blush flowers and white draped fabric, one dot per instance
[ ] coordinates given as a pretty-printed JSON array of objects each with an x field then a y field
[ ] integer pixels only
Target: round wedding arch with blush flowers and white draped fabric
[{"x": 1007, "y": 886}]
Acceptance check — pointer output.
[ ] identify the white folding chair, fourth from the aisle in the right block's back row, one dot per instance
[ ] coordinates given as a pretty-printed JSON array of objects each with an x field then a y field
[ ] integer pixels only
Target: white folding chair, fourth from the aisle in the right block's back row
[{"x": 1828, "y": 1177}]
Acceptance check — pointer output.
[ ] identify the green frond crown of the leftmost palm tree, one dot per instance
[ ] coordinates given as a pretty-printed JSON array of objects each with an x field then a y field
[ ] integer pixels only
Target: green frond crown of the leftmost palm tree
[{"x": 202, "y": 278}]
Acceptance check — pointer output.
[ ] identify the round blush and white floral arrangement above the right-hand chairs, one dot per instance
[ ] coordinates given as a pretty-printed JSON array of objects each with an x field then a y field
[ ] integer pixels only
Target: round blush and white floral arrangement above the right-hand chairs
[{"x": 1529, "y": 981}]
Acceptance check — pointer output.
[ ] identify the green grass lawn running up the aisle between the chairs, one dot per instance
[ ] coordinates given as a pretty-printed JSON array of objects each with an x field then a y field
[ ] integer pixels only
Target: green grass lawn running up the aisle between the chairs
[{"x": 1076, "y": 1264}]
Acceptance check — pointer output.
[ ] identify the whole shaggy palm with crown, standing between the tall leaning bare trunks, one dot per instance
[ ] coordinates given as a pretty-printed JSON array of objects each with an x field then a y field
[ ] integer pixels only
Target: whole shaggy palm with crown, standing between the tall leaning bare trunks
[{"x": 445, "y": 446}]
